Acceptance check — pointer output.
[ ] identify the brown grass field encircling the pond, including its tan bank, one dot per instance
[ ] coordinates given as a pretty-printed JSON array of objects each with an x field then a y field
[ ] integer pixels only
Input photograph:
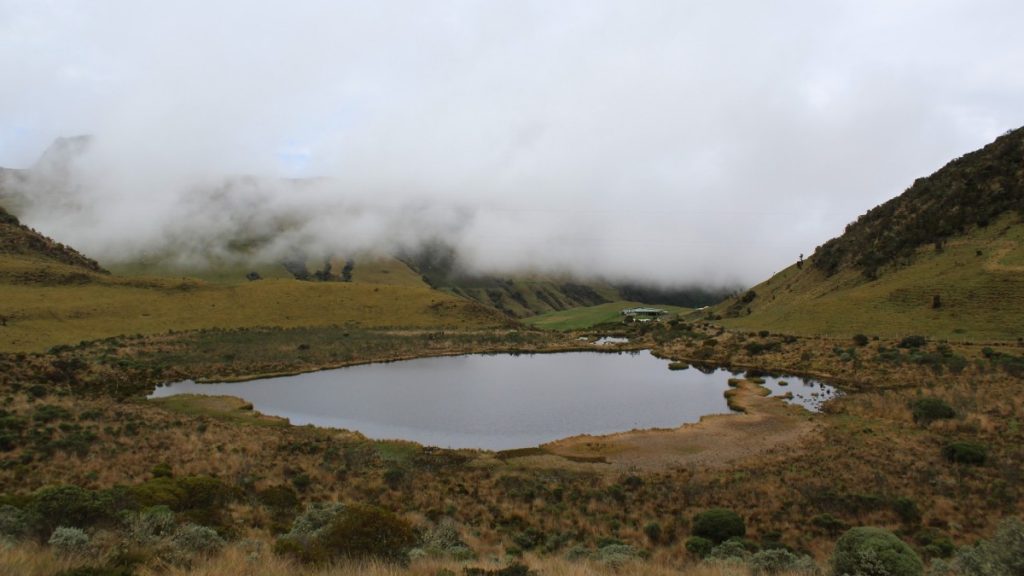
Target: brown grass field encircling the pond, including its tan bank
[{"x": 782, "y": 468}]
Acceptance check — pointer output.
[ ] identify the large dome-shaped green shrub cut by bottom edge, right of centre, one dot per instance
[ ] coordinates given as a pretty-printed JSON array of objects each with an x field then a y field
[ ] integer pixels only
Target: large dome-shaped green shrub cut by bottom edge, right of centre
[{"x": 875, "y": 552}]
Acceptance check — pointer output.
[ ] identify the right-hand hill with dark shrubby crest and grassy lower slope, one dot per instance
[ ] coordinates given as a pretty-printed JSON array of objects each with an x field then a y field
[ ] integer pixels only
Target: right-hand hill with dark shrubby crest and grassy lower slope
[{"x": 946, "y": 259}]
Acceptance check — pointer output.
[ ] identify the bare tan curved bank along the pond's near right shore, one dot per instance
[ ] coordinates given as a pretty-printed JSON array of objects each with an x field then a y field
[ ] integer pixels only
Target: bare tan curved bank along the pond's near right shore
[{"x": 714, "y": 442}]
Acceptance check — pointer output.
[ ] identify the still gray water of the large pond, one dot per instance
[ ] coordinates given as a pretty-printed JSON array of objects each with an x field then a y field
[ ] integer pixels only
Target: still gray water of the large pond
[{"x": 495, "y": 402}]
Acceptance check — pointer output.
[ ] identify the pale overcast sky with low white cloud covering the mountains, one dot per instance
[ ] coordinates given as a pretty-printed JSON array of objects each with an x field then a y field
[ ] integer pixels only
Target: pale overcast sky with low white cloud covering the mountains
[{"x": 673, "y": 141}]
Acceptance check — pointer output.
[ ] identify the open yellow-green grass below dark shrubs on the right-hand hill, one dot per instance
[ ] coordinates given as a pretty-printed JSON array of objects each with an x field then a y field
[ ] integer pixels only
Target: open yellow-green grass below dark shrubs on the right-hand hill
[{"x": 982, "y": 296}]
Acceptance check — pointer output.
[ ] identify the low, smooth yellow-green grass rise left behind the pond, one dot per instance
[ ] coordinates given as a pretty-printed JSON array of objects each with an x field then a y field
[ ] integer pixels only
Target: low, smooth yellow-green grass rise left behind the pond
[{"x": 42, "y": 315}]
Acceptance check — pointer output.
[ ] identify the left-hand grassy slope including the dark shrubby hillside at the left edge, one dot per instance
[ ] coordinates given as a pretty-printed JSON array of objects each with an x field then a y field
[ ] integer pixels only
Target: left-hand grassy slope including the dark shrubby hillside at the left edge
[{"x": 50, "y": 295}]
